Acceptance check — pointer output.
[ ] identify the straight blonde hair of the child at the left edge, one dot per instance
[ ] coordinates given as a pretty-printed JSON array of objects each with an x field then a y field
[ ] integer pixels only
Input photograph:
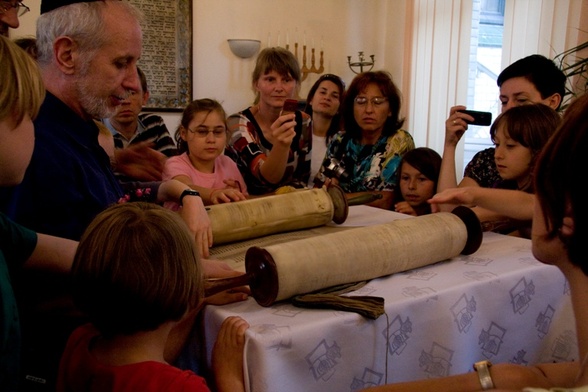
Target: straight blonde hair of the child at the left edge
[{"x": 21, "y": 86}]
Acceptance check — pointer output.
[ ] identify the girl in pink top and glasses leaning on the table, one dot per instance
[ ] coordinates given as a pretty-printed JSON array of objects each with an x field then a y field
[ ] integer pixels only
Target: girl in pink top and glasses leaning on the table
[{"x": 201, "y": 139}]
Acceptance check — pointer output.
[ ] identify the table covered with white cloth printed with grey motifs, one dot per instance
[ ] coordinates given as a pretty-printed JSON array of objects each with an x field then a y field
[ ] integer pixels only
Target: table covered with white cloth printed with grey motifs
[{"x": 498, "y": 303}]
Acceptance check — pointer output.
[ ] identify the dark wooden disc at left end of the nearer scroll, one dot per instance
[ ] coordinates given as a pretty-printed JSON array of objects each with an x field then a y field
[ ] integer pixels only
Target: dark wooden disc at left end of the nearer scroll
[{"x": 260, "y": 265}]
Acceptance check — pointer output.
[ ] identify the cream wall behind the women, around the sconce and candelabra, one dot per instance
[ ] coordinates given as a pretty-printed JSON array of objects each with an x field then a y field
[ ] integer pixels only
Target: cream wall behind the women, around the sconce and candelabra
[{"x": 345, "y": 27}]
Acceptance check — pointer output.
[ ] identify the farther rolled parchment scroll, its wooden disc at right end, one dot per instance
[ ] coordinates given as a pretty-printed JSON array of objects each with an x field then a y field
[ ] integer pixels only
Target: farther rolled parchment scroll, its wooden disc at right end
[{"x": 300, "y": 209}]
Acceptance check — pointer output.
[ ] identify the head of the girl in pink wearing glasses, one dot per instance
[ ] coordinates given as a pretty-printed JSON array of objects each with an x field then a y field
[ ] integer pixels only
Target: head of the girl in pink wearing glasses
[{"x": 203, "y": 130}]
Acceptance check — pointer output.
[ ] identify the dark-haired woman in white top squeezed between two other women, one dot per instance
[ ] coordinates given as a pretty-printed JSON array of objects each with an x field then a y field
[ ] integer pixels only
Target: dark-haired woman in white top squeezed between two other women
[{"x": 322, "y": 104}]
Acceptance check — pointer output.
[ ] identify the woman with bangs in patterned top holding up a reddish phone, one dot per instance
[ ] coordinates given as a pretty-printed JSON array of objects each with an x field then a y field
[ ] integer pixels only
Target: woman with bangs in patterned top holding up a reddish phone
[{"x": 271, "y": 148}]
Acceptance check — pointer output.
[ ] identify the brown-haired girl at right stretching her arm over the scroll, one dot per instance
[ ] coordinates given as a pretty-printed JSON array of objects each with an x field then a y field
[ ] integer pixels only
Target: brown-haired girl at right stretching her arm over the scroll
[{"x": 519, "y": 135}]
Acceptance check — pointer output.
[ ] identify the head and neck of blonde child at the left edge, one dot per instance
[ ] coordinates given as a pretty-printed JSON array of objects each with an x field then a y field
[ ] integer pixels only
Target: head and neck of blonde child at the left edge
[{"x": 21, "y": 95}]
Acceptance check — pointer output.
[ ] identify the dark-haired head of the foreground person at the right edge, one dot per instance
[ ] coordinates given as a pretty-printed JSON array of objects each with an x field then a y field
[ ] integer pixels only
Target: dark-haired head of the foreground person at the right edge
[{"x": 561, "y": 211}]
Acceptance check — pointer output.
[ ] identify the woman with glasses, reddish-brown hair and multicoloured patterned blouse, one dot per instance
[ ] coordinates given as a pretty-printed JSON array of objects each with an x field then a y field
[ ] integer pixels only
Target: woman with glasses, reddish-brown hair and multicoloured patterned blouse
[{"x": 364, "y": 157}]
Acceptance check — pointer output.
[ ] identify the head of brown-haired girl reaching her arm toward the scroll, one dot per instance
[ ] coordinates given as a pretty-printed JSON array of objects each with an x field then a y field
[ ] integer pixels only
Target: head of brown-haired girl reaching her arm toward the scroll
[{"x": 519, "y": 134}]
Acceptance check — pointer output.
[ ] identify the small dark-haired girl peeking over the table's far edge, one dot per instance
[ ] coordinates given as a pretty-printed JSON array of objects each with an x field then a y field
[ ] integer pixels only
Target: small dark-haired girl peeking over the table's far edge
[{"x": 417, "y": 182}]
